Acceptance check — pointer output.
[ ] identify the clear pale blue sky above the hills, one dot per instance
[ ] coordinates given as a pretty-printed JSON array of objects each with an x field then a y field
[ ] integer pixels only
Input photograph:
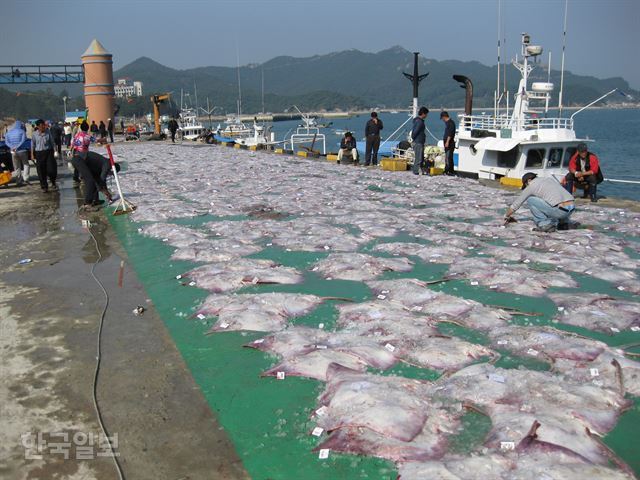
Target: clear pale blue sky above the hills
[{"x": 602, "y": 35}]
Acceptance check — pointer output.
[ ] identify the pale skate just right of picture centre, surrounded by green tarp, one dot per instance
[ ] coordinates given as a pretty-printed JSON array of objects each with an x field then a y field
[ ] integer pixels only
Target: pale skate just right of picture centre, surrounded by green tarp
[{"x": 360, "y": 267}]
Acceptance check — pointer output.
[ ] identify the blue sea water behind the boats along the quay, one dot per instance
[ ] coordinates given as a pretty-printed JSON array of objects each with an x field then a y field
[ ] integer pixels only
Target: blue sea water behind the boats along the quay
[{"x": 616, "y": 135}]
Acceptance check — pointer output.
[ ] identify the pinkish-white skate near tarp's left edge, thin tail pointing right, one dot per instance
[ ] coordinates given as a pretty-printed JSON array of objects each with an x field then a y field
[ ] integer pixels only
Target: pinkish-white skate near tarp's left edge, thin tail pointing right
[{"x": 265, "y": 312}]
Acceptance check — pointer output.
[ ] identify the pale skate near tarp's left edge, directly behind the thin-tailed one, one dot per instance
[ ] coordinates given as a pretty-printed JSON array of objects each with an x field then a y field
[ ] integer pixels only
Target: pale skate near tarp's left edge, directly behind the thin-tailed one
[{"x": 228, "y": 276}]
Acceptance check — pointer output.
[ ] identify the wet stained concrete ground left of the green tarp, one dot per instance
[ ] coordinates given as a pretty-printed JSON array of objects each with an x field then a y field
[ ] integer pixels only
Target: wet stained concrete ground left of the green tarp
[{"x": 49, "y": 316}]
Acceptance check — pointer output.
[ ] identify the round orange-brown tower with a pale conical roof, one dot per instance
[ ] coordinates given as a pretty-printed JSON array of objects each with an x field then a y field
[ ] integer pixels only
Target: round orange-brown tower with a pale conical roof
[{"x": 99, "y": 96}]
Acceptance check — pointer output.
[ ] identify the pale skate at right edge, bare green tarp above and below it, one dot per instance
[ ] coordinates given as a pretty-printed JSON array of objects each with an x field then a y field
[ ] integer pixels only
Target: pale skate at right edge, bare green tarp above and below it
[{"x": 596, "y": 311}]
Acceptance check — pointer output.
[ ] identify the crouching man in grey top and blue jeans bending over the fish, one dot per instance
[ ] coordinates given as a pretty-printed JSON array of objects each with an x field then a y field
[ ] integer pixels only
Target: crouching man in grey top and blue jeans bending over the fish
[{"x": 550, "y": 204}]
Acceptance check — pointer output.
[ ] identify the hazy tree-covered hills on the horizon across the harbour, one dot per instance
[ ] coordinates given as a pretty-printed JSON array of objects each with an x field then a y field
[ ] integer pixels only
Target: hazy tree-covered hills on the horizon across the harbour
[{"x": 340, "y": 81}]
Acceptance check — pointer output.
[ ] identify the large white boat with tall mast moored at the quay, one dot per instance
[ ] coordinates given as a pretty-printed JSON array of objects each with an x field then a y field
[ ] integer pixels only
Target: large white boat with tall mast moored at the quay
[{"x": 524, "y": 140}]
